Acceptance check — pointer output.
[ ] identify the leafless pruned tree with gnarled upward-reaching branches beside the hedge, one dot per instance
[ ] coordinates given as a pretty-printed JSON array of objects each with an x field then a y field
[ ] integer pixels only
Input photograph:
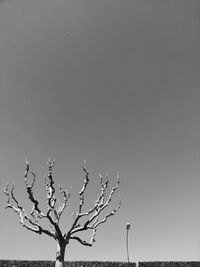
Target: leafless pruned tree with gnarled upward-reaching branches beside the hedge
[{"x": 54, "y": 211}]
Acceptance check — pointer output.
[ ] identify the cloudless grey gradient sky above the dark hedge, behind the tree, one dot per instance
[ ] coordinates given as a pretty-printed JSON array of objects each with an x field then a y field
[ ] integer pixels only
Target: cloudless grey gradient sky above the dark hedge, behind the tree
[{"x": 115, "y": 83}]
